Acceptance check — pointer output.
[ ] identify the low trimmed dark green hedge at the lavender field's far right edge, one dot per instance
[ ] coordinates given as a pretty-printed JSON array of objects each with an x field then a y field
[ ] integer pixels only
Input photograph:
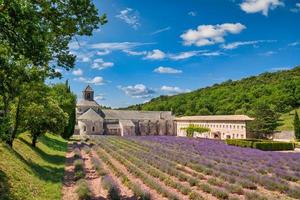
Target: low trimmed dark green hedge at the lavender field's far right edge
[{"x": 264, "y": 145}]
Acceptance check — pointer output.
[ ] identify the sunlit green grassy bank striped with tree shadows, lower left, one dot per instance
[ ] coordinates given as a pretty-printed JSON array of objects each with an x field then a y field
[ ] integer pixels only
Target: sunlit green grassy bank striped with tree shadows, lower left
[{"x": 32, "y": 173}]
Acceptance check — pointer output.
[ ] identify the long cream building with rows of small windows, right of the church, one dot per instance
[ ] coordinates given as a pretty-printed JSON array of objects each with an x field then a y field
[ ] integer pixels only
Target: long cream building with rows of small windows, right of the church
[{"x": 221, "y": 126}]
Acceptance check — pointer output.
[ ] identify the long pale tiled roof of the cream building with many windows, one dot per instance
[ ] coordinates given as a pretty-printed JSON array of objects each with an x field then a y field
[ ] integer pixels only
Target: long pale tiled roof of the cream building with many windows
[{"x": 215, "y": 118}]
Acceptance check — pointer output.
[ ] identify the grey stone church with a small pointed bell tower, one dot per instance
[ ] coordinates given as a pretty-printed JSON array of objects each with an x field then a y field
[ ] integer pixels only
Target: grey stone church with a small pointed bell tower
[{"x": 91, "y": 119}]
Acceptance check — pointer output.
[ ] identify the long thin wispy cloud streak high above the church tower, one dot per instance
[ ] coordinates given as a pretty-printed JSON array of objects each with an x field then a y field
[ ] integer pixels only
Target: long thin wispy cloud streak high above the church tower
[{"x": 117, "y": 45}]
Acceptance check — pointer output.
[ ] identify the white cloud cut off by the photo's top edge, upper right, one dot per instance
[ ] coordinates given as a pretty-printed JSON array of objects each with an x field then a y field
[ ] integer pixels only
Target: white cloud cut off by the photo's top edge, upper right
[{"x": 263, "y": 6}]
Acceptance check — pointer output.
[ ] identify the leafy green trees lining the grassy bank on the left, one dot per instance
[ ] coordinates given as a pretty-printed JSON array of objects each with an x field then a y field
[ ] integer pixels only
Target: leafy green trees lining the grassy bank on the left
[{"x": 34, "y": 38}]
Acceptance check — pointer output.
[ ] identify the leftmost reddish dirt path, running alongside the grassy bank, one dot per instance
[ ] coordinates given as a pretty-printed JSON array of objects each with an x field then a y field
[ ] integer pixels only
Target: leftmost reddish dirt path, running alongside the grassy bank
[{"x": 69, "y": 185}]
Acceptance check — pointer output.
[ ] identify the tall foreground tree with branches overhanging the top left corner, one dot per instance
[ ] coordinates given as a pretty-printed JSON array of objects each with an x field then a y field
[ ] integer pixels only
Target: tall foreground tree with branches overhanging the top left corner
[{"x": 36, "y": 34}]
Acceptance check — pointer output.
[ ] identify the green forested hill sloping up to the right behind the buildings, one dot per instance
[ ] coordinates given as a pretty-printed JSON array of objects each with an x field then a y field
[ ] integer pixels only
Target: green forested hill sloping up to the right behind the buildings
[{"x": 280, "y": 90}]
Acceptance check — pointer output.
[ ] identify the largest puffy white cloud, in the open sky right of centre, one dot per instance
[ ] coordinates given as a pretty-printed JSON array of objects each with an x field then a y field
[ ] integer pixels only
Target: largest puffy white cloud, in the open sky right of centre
[{"x": 210, "y": 34}]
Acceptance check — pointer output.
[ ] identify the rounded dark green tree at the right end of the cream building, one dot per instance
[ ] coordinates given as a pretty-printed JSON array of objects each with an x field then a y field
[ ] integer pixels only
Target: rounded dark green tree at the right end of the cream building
[{"x": 265, "y": 121}]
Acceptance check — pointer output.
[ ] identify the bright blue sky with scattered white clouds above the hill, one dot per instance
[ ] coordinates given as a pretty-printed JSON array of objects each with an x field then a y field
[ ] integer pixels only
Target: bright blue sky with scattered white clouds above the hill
[{"x": 152, "y": 48}]
